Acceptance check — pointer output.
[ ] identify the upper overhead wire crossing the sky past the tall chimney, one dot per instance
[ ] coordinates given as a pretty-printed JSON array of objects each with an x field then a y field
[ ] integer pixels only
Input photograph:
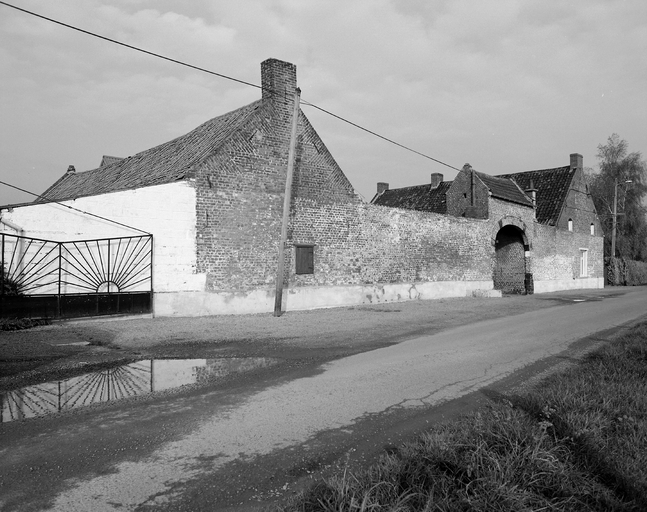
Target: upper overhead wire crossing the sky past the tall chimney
[{"x": 198, "y": 68}]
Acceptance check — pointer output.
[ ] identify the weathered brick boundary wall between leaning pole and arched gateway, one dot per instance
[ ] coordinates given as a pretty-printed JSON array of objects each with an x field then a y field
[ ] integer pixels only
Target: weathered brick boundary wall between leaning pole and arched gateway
[{"x": 369, "y": 244}]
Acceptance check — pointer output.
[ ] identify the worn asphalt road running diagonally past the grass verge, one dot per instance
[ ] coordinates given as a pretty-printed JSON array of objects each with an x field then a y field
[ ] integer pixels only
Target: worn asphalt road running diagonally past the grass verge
[{"x": 239, "y": 448}]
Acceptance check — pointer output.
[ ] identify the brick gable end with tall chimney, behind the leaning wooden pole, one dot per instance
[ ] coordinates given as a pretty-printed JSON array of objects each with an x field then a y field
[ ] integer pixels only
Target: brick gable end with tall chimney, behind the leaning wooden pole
[{"x": 240, "y": 189}]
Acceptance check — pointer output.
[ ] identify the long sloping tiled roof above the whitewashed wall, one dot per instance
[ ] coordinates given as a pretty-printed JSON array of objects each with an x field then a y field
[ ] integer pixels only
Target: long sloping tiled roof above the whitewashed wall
[{"x": 166, "y": 163}]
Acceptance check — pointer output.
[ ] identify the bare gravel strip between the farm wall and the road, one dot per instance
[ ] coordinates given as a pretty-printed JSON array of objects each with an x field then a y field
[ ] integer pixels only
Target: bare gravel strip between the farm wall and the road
[{"x": 68, "y": 348}]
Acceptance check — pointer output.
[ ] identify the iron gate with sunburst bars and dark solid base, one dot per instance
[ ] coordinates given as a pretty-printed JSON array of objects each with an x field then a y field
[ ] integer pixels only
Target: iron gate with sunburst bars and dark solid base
[{"x": 43, "y": 278}]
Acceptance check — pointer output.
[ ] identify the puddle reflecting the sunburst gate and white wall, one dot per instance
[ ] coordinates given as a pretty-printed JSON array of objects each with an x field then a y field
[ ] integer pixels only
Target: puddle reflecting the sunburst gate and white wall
[{"x": 139, "y": 378}]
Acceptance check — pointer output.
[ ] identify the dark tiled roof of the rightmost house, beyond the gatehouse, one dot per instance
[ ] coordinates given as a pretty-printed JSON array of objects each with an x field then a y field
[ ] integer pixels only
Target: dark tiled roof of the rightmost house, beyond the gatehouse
[{"x": 552, "y": 187}]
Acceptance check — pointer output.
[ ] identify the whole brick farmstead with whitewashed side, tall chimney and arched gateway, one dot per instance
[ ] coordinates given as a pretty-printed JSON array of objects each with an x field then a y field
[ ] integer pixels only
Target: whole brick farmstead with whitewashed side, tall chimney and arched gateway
[{"x": 213, "y": 200}]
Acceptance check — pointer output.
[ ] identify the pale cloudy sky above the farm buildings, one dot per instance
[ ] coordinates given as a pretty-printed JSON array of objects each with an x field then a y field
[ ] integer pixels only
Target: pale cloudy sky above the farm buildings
[{"x": 504, "y": 85}]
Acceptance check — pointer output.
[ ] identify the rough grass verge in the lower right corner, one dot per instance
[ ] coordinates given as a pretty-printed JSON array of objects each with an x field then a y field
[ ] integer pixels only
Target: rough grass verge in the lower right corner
[{"x": 576, "y": 442}]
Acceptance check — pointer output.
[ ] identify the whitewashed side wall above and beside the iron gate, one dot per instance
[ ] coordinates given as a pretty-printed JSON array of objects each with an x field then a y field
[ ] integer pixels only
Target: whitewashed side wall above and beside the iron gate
[{"x": 166, "y": 211}]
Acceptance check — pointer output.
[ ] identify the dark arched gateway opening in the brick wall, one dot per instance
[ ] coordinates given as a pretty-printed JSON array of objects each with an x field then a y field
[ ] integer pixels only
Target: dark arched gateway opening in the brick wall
[{"x": 510, "y": 266}]
